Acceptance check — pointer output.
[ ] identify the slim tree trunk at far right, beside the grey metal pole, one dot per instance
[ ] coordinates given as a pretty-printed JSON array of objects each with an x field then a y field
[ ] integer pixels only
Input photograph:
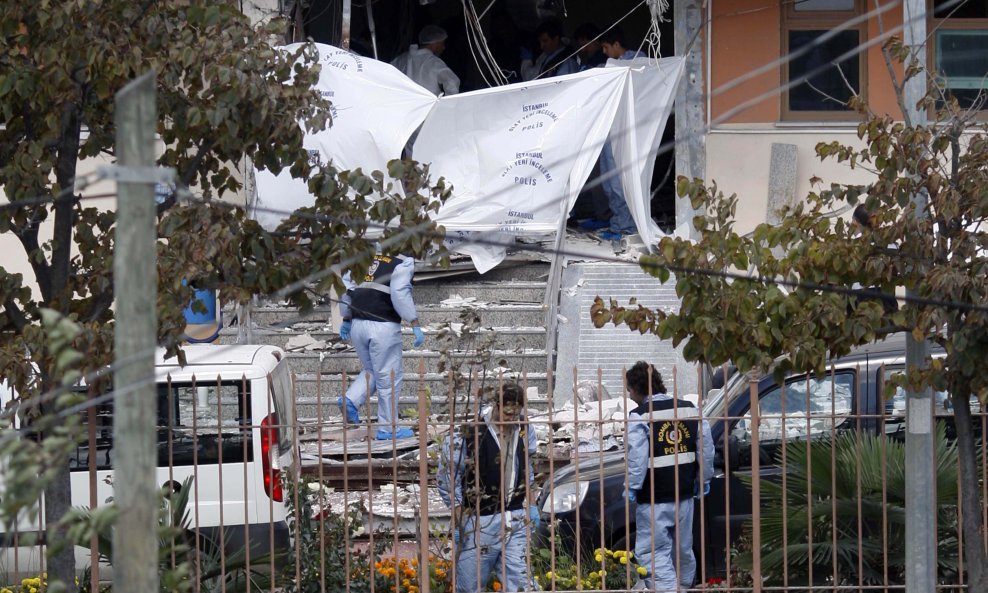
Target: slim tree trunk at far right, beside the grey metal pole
[{"x": 972, "y": 526}]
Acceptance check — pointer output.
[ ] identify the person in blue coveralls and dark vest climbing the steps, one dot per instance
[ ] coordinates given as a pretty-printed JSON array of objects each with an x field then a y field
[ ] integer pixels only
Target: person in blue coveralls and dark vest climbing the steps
[{"x": 372, "y": 312}]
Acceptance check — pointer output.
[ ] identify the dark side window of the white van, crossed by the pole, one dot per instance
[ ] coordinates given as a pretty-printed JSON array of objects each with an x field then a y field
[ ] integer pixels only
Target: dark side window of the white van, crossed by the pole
[{"x": 198, "y": 423}]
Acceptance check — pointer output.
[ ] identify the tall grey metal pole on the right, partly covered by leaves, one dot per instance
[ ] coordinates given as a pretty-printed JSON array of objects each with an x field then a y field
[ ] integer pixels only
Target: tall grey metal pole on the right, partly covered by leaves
[{"x": 920, "y": 497}]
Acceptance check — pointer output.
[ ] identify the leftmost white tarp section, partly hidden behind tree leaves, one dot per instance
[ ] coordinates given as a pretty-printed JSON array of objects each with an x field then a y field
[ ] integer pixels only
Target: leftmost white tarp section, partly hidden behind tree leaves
[{"x": 375, "y": 109}]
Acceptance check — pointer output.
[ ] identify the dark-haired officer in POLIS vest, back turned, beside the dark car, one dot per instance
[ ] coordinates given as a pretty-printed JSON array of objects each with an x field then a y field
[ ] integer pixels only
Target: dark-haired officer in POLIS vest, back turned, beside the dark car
[{"x": 667, "y": 439}]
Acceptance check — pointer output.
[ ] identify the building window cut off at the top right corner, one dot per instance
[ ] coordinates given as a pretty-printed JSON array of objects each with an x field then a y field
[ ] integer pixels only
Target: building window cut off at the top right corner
[{"x": 960, "y": 49}]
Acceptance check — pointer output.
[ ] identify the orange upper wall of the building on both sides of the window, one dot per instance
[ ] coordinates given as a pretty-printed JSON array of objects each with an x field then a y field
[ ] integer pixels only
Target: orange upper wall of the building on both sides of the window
[{"x": 746, "y": 37}]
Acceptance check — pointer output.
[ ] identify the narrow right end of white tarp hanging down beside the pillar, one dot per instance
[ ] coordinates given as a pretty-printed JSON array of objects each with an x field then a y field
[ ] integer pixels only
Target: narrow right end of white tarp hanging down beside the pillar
[{"x": 637, "y": 132}]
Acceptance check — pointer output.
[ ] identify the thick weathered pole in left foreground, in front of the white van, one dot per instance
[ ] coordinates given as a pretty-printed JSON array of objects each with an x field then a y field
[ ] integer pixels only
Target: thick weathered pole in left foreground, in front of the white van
[{"x": 135, "y": 337}]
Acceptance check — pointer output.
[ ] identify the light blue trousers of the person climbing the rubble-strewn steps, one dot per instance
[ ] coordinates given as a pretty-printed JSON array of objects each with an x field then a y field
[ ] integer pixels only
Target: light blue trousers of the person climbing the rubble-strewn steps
[{"x": 378, "y": 345}]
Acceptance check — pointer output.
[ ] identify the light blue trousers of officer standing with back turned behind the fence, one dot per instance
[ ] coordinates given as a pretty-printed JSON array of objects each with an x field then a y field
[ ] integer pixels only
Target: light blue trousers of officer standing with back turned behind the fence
[{"x": 655, "y": 544}]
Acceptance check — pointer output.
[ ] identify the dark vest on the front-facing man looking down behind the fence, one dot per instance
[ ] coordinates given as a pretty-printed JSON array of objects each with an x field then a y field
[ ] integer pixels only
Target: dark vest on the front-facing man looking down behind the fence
[{"x": 482, "y": 488}]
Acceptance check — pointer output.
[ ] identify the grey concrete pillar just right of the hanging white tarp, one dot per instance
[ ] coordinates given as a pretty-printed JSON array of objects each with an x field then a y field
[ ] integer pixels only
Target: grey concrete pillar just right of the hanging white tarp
[{"x": 691, "y": 155}]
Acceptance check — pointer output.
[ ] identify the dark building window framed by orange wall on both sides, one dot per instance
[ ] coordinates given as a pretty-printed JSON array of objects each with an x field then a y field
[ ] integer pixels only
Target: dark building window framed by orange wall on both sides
[{"x": 825, "y": 68}]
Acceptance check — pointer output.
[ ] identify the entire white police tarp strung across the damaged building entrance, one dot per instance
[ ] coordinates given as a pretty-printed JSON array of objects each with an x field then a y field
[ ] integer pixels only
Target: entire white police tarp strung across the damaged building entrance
[{"x": 517, "y": 155}]
